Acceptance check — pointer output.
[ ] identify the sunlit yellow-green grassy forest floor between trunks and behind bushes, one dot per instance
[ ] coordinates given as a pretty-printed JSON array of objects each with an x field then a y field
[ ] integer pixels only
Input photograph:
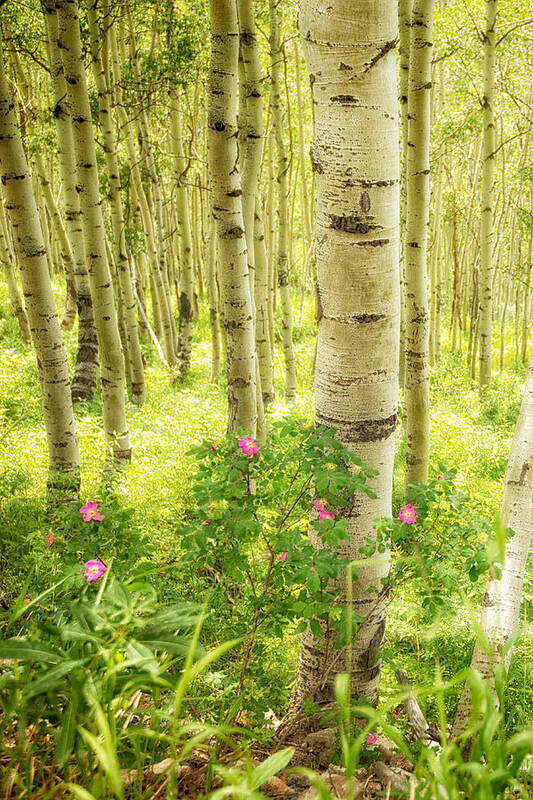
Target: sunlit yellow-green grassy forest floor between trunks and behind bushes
[{"x": 471, "y": 436}]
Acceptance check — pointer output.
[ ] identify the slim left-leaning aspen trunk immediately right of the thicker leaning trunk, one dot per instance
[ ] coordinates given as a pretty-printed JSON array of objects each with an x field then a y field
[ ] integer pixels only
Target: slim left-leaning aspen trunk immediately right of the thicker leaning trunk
[{"x": 120, "y": 251}]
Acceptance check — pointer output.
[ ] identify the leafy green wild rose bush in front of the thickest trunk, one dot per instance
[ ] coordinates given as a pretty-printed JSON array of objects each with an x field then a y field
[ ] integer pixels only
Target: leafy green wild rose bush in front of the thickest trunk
[{"x": 255, "y": 511}]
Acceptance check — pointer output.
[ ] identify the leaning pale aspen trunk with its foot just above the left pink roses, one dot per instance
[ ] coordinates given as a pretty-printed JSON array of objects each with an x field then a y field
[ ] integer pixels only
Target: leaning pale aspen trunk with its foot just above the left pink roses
[{"x": 112, "y": 369}]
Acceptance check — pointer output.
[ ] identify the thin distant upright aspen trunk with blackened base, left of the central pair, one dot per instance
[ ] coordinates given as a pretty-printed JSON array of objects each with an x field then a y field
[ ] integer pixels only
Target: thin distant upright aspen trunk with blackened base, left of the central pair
[{"x": 186, "y": 293}]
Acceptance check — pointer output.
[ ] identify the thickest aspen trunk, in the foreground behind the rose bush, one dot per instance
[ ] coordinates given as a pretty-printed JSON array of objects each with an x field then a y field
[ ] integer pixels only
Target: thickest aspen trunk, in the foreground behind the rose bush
[{"x": 349, "y": 49}]
